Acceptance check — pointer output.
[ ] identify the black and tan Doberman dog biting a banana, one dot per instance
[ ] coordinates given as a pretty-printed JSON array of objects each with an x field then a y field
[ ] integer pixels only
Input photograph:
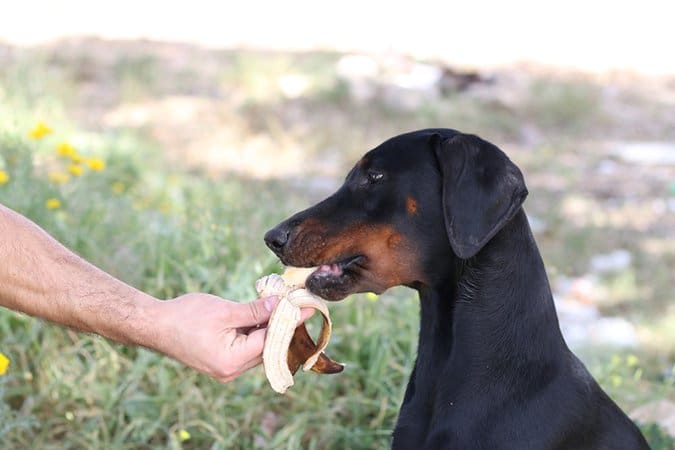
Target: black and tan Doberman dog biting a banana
[{"x": 441, "y": 212}]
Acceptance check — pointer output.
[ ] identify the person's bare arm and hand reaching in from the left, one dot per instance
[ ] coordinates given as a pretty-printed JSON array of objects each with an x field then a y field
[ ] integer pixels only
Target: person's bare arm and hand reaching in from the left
[{"x": 40, "y": 277}]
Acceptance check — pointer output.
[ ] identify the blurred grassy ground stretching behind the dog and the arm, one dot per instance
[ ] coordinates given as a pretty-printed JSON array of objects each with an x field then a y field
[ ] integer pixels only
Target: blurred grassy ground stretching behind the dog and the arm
[{"x": 204, "y": 150}]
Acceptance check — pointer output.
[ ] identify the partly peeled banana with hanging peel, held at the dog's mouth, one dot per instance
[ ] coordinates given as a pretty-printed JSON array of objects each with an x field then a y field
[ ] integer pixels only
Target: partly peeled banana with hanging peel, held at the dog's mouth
[{"x": 288, "y": 346}]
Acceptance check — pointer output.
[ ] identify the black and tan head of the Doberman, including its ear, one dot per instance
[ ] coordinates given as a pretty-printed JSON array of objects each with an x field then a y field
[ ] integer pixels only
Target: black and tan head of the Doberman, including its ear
[{"x": 406, "y": 212}]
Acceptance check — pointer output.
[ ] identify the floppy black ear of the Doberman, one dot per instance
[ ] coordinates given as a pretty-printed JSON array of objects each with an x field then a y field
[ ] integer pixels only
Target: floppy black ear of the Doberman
[{"x": 482, "y": 190}]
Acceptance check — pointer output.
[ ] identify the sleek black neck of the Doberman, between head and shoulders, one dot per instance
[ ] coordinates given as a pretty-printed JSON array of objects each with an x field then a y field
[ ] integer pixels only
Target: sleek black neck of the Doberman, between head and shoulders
[{"x": 476, "y": 322}]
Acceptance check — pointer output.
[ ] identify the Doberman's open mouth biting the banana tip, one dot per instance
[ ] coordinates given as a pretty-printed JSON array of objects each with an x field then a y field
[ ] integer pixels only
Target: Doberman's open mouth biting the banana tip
[{"x": 336, "y": 280}]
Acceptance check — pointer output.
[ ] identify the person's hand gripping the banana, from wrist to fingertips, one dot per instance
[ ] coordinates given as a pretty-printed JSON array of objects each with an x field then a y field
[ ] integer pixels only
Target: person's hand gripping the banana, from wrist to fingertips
[{"x": 217, "y": 337}]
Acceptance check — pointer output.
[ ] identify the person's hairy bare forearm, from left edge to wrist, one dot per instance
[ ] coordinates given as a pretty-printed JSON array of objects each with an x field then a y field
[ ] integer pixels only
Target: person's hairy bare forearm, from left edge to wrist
[{"x": 40, "y": 277}]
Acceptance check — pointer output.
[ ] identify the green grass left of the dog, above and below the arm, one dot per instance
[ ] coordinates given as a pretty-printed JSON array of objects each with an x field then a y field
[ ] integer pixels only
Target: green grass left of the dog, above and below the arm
[{"x": 169, "y": 233}]
